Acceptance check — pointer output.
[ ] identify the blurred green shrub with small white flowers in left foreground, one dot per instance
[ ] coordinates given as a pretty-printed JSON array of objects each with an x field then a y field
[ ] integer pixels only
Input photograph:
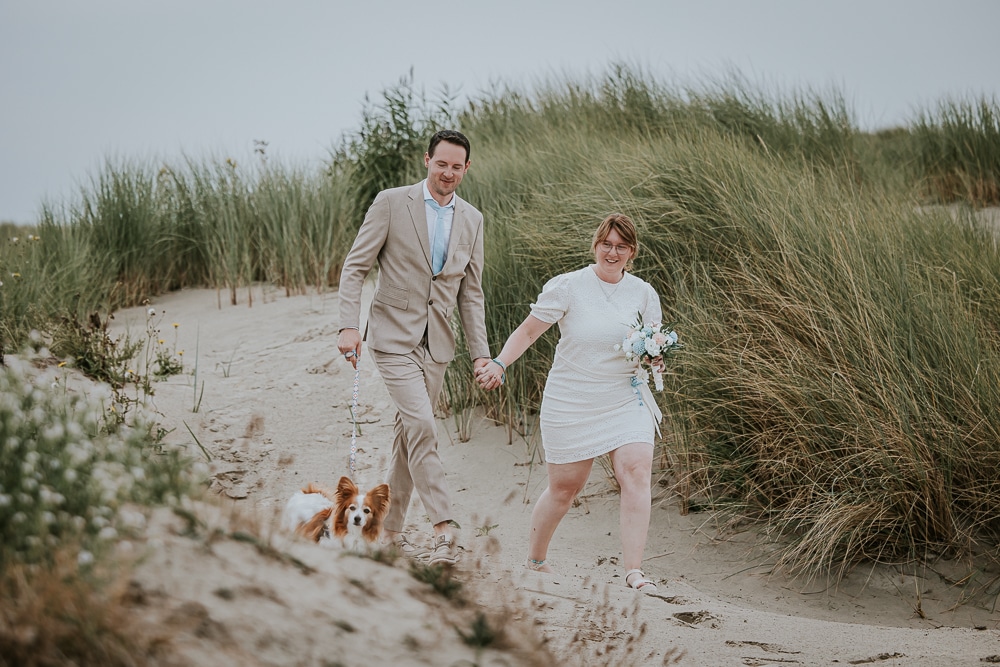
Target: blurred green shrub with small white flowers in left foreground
[{"x": 64, "y": 478}]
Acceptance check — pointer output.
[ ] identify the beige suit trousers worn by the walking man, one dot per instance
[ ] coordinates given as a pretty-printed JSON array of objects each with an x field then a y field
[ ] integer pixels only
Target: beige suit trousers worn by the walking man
[{"x": 414, "y": 381}]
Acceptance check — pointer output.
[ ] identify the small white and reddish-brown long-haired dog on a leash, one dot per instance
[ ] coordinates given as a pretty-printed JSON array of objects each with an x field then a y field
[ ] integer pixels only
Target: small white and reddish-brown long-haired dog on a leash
[{"x": 345, "y": 518}]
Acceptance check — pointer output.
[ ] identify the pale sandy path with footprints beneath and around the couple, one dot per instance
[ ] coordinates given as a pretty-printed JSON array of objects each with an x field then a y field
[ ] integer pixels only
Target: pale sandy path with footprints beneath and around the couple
[{"x": 273, "y": 413}]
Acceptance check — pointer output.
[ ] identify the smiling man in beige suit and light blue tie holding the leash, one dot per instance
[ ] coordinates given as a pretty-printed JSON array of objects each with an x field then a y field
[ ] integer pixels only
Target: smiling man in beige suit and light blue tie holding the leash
[{"x": 428, "y": 243}]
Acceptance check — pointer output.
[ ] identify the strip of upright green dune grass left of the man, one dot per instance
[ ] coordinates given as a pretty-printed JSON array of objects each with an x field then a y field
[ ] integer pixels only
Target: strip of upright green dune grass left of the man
[{"x": 141, "y": 229}]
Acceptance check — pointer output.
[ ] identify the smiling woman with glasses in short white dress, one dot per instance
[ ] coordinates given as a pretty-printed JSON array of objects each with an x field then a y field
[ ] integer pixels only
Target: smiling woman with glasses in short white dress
[{"x": 592, "y": 404}]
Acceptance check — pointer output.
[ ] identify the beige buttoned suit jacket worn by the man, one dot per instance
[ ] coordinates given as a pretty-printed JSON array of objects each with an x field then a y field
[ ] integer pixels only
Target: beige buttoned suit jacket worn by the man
[{"x": 408, "y": 297}]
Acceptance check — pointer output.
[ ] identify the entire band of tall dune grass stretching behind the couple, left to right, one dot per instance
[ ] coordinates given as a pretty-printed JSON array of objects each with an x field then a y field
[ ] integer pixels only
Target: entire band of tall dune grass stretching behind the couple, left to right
[{"x": 840, "y": 379}]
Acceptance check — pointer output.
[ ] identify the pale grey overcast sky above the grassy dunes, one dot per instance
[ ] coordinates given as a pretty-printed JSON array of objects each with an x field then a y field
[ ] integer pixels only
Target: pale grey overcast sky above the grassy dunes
[{"x": 86, "y": 80}]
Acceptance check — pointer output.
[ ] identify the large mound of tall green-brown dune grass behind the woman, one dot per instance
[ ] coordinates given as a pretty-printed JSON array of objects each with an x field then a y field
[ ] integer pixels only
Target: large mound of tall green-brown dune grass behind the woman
[{"x": 840, "y": 378}]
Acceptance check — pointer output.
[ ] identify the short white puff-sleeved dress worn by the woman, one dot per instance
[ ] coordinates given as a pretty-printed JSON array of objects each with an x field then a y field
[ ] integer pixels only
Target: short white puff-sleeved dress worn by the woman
[{"x": 590, "y": 406}]
